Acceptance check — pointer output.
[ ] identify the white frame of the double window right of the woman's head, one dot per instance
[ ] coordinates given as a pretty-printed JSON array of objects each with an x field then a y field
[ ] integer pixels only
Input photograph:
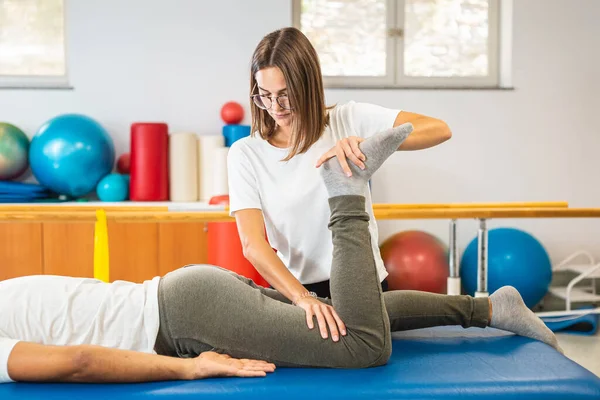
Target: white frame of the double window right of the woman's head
[{"x": 395, "y": 77}]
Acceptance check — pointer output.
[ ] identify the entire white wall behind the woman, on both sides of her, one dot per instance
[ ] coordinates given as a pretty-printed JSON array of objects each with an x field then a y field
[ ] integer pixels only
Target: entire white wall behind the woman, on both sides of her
[{"x": 141, "y": 60}]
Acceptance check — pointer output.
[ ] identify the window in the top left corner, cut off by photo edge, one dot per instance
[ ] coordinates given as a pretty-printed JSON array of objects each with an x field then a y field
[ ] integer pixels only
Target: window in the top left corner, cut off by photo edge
[{"x": 32, "y": 48}]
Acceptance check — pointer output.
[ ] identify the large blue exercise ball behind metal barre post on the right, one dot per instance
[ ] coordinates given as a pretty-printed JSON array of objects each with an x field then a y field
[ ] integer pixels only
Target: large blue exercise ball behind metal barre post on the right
[{"x": 515, "y": 258}]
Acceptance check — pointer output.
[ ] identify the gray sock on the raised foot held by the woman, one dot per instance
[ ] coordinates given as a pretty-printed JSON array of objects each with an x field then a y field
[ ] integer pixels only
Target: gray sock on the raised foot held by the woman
[{"x": 376, "y": 149}]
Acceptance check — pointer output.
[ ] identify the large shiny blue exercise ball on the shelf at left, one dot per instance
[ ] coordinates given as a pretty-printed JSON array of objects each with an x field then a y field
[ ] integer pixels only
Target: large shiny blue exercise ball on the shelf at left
[{"x": 70, "y": 153}]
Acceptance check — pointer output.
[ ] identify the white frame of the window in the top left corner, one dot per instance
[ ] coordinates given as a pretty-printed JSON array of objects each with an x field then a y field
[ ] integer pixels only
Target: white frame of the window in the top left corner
[{"x": 42, "y": 81}]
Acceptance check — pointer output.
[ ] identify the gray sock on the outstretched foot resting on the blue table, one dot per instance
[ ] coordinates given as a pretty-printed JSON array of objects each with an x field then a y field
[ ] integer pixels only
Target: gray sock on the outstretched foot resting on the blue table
[{"x": 510, "y": 313}]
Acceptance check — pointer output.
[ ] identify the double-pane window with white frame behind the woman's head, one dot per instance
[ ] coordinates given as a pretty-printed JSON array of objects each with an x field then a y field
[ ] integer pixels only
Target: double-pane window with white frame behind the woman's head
[{"x": 404, "y": 43}]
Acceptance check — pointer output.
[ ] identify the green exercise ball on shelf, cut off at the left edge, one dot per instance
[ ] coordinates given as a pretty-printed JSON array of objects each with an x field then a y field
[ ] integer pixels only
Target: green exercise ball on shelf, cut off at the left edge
[{"x": 14, "y": 151}]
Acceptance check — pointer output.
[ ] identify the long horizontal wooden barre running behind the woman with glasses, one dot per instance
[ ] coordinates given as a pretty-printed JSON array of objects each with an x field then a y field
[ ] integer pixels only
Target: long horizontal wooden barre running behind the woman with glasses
[{"x": 223, "y": 216}]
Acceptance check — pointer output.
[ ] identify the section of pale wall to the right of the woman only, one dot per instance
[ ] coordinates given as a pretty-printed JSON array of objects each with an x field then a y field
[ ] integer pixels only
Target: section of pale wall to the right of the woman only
[{"x": 538, "y": 142}]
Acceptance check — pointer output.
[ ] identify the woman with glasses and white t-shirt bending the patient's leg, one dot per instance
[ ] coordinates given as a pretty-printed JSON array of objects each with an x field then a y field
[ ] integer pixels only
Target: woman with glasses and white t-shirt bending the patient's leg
[{"x": 273, "y": 175}]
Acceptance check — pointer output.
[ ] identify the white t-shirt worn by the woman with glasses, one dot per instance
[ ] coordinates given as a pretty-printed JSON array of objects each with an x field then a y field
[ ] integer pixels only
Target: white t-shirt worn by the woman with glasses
[{"x": 292, "y": 195}]
